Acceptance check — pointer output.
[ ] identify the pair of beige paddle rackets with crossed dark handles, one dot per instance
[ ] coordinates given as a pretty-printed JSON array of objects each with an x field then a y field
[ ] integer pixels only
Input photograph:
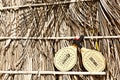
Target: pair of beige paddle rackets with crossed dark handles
[{"x": 66, "y": 58}]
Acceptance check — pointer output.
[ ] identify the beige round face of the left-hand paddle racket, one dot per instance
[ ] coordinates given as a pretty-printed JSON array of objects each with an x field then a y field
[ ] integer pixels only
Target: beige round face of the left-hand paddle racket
[{"x": 65, "y": 58}]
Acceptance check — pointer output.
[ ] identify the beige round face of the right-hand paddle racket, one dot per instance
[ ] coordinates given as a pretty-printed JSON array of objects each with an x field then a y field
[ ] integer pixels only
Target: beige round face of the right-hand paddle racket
[{"x": 93, "y": 60}]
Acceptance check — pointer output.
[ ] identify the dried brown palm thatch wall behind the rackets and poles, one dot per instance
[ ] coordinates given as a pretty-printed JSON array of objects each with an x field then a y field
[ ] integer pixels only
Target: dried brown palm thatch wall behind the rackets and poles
[{"x": 91, "y": 18}]
